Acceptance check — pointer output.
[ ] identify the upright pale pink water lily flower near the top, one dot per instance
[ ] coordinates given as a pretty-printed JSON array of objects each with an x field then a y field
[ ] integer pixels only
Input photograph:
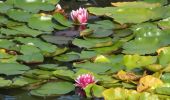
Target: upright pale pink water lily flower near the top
[{"x": 79, "y": 16}]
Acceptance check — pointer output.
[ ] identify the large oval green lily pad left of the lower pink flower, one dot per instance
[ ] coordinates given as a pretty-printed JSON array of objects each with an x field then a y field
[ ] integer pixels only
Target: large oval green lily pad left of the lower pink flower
[{"x": 53, "y": 88}]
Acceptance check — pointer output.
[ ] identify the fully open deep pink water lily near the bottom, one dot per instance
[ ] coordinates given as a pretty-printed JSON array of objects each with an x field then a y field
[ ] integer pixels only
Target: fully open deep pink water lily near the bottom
[{"x": 85, "y": 79}]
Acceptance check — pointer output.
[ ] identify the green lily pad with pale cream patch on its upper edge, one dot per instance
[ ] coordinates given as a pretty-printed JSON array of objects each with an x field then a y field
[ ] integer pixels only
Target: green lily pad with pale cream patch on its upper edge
[{"x": 41, "y": 22}]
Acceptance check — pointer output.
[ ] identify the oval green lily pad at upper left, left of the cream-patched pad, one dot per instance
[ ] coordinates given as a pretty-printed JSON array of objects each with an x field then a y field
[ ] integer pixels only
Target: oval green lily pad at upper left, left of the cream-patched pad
[{"x": 19, "y": 15}]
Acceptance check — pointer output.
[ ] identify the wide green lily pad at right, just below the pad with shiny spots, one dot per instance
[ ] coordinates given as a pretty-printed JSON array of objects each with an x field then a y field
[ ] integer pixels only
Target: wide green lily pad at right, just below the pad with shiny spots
[{"x": 141, "y": 46}]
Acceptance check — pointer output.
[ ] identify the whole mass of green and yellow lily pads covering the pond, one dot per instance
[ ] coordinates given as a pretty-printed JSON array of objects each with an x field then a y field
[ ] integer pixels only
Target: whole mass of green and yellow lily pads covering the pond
[{"x": 127, "y": 50}]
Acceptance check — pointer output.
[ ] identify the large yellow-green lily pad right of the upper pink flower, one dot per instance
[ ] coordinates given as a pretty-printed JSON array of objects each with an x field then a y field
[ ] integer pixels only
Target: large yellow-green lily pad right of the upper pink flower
[{"x": 136, "y": 13}]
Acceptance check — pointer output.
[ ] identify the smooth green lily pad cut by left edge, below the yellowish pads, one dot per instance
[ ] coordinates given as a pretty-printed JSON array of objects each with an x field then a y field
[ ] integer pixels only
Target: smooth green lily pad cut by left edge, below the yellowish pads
[{"x": 12, "y": 68}]
